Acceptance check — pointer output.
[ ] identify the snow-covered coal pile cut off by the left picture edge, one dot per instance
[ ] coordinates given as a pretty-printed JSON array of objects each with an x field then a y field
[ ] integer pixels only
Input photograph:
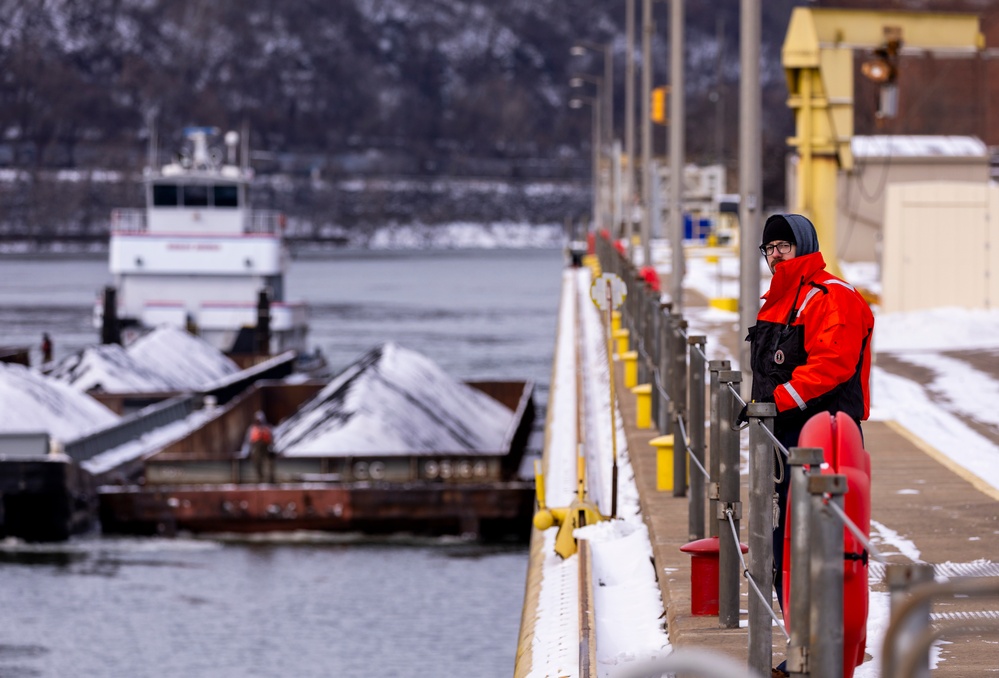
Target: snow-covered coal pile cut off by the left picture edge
[{"x": 31, "y": 402}]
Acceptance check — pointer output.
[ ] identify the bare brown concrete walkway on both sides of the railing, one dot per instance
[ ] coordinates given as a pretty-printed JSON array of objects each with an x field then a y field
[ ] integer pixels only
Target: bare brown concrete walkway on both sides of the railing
[{"x": 950, "y": 517}]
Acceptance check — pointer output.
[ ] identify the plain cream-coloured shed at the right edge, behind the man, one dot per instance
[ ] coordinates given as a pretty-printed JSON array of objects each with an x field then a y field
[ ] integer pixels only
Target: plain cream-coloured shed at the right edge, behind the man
[{"x": 941, "y": 246}]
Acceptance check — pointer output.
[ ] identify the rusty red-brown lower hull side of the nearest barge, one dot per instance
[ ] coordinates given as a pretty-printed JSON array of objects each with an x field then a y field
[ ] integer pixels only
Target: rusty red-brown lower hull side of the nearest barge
[{"x": 488, "y": 511}]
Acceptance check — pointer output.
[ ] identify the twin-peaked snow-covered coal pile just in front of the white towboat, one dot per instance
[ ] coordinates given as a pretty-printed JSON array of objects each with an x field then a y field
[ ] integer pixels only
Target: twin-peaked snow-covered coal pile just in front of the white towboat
[{"x": 166, "y": 359}]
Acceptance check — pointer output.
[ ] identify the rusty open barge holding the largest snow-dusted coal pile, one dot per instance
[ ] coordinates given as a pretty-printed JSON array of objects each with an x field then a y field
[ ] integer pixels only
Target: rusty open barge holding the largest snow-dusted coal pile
[{"x": 205, "y": 482}]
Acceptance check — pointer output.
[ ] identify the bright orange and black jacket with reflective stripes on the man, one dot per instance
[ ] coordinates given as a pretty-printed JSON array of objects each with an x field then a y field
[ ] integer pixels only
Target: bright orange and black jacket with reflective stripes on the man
[{"x": 810, "y": 347}]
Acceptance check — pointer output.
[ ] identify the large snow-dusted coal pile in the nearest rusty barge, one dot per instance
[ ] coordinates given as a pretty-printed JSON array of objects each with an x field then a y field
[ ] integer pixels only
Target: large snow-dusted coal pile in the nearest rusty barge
[{"x": 395, "y": 401}]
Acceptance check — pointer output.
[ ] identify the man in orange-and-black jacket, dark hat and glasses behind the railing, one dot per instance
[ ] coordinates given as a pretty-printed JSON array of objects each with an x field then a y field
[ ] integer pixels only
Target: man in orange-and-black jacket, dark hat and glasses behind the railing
[{"x": 810, "y": 347}]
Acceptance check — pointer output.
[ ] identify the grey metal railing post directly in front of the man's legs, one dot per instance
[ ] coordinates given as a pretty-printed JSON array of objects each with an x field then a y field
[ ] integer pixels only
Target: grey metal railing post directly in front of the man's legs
[{"x": 761, "y": 527}]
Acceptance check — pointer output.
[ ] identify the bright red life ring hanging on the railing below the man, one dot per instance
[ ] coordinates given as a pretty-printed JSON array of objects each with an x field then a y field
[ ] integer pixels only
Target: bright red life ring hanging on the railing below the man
[{"x": 839, "y": 436}]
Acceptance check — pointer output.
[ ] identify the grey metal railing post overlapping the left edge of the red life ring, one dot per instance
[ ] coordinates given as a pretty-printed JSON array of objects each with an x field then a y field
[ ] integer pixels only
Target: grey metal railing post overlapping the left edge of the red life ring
[{"x": 799, "y": 507}]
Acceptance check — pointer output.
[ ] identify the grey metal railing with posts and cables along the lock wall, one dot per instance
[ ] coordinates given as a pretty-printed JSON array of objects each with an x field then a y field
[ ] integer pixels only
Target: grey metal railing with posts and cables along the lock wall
[{"x": 675, "y": 364}]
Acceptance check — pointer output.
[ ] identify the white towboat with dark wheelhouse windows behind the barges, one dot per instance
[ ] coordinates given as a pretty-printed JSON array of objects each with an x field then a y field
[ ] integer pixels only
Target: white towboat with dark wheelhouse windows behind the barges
[{"x": 198, "y": 257}]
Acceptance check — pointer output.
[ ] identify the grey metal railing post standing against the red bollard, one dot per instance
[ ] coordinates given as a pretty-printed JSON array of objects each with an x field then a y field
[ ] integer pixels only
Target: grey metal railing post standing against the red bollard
[{"x": 729, "y": 565}]
